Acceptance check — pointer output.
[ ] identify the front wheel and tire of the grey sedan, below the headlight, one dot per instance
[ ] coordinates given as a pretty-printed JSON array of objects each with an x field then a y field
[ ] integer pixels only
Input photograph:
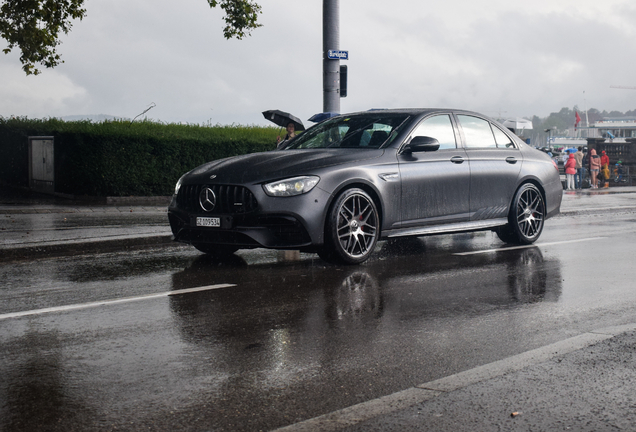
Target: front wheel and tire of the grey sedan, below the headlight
[{"x": 352, "y": 228}]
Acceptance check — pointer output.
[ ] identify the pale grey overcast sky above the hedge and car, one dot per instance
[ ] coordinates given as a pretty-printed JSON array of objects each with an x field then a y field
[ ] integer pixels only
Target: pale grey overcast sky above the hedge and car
[{"x": 498, "y": 57}]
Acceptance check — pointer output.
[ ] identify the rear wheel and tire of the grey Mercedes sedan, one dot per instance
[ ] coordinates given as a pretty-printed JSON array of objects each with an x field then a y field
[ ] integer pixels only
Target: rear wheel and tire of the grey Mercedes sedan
[{"x": 526, "y": 217}]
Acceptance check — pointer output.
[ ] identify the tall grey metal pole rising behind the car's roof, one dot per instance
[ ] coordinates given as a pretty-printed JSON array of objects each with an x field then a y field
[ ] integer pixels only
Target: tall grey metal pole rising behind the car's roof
[{"x": 330, "y": 68}]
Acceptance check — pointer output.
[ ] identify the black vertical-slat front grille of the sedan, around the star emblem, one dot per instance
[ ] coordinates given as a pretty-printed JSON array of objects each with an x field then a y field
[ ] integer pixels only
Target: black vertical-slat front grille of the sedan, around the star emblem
[{"x": 231, "y": 200}]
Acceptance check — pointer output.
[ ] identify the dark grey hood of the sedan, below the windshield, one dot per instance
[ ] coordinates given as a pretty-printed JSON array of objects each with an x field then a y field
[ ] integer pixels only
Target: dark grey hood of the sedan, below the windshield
[{"x": 274, "y": 165}]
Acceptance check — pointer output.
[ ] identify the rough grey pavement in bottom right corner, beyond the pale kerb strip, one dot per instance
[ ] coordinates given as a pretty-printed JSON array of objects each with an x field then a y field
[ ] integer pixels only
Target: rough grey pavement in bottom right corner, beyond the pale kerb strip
[{"x": 584, "y": 383}]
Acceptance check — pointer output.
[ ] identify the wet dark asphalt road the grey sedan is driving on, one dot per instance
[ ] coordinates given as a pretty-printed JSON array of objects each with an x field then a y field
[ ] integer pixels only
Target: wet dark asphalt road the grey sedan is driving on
[{"x": 270, "y": 342}]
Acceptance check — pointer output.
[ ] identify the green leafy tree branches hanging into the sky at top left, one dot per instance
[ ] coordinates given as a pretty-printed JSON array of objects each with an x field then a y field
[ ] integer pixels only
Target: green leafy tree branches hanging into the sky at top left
[{"x": 34, "y": 26}]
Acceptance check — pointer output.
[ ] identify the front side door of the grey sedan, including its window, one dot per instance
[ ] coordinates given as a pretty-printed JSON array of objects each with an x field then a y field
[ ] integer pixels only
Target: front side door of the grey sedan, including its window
[{"x": 435, "y": 184}]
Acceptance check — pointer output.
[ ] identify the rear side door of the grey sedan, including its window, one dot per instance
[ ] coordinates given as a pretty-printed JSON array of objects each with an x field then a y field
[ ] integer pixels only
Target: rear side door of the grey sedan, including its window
[{"x": 495, "y": 163}]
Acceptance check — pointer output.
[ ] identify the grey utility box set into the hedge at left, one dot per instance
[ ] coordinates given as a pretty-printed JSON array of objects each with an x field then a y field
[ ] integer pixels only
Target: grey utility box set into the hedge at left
[{"x": 41, "y": 164}]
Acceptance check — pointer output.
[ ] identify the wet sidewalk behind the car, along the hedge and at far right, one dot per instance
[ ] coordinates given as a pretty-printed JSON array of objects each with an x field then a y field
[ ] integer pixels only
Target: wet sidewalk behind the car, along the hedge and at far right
[{"x": 36, "y": 225}]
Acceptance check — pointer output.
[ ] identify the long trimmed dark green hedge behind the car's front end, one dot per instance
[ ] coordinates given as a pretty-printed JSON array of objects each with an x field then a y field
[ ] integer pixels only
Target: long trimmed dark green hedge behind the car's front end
[{"x": 117, "y": 158}]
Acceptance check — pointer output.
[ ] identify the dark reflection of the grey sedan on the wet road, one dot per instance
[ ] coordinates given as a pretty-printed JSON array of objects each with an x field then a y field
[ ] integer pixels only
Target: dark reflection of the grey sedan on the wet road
[{"x": 414, "y": 312}]
